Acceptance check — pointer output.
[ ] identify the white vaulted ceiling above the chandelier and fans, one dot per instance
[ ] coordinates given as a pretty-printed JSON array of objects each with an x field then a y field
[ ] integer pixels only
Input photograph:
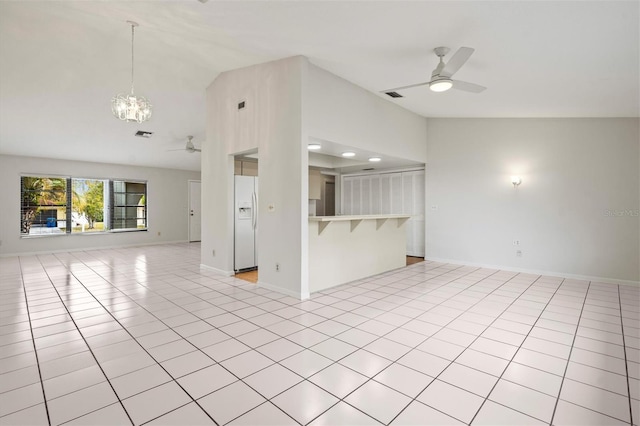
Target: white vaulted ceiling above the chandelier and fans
[{"x": 61, "y": 62}]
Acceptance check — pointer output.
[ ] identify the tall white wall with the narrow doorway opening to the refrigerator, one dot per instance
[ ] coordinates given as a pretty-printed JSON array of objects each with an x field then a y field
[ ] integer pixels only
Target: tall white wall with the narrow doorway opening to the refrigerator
[{"x": 271, "y": 124}]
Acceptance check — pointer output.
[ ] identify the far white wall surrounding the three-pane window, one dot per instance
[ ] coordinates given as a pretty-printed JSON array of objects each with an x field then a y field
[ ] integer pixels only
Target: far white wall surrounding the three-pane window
[{"x": 167, "y": 192}]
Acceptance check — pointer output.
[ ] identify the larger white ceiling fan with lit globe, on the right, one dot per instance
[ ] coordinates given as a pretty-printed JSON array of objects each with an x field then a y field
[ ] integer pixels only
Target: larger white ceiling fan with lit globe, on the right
[{"x": 441, "y": 76}]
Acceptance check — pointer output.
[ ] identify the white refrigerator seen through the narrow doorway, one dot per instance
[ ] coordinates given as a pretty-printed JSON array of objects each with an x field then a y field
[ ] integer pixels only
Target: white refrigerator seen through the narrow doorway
[{"x": 246, "y": 222}]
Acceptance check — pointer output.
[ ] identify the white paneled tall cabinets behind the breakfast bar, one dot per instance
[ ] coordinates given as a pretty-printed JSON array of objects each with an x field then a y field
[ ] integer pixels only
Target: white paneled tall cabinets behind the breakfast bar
[{"x": 389, "y": 193}]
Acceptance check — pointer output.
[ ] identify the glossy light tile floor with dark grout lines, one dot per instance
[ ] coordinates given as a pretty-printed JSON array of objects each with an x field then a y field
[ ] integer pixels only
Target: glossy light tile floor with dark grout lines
[{"x": 143, "y": 335}]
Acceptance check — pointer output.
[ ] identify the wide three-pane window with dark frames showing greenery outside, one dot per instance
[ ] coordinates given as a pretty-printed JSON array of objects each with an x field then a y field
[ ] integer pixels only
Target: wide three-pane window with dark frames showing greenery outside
[{"x": 59, "y": 205}]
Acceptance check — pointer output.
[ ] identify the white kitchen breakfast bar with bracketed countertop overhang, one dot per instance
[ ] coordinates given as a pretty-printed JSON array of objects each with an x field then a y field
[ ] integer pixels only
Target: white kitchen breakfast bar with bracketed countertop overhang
[{"x": 348, "y": 248}]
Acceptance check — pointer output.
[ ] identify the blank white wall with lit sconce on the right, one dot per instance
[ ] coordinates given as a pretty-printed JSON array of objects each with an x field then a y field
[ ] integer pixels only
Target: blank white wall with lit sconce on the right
[{"x": 574, "y": 171}]
